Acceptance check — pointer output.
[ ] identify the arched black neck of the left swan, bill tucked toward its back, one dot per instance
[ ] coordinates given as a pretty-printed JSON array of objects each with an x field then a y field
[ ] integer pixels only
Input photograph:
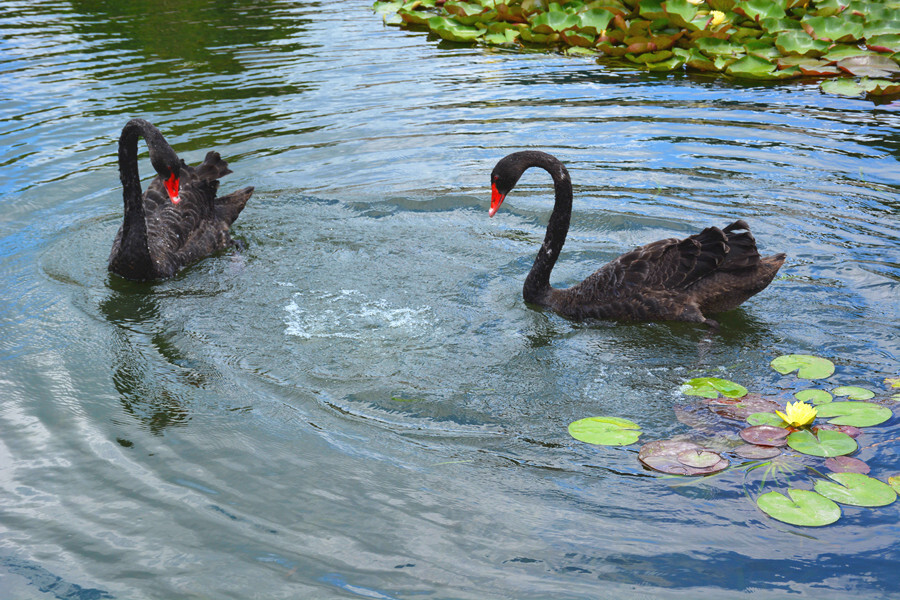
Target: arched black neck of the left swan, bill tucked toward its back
[{"x": 134, "y": 252}]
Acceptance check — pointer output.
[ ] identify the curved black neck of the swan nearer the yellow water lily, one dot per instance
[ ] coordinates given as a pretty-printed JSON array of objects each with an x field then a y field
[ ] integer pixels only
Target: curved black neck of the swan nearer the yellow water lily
[{"x": 537, "y": 284}]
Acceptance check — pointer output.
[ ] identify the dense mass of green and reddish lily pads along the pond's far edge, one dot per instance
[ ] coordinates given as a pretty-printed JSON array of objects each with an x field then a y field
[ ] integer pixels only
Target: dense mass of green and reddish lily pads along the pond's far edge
[{"x": 748, "y": 39}]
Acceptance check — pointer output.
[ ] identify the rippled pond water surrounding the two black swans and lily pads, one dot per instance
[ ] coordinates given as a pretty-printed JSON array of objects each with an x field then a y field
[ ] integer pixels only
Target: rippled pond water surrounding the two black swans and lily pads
[{"x": 358, "y": 403}]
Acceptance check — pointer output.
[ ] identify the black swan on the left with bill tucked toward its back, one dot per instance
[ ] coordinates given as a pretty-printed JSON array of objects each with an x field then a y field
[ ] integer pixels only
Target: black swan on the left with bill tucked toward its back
[{"x": 178, "y": 220}]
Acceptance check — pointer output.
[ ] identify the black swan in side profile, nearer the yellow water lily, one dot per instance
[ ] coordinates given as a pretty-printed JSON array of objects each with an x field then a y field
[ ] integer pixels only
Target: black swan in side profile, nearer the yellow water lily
[{"x": 669, "y": 280}]
